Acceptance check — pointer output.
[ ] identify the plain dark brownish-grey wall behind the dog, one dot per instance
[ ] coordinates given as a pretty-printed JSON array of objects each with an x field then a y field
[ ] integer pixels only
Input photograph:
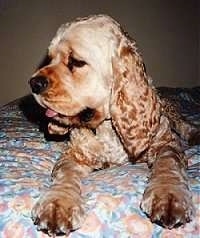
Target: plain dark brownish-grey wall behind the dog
[{"x": 165, "y": 30}]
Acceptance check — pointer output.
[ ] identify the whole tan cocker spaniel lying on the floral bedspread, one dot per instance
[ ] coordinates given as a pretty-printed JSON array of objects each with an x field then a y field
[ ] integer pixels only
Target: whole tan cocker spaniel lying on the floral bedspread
[{"x": 96, "y": 88}]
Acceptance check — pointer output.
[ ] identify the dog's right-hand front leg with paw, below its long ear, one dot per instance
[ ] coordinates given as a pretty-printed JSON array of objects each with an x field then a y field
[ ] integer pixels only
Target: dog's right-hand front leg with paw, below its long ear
[{"x": 167, "y": 199}]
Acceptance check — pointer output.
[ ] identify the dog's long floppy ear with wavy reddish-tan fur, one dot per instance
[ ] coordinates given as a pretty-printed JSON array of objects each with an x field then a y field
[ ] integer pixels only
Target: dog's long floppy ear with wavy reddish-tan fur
[{"x": 135, "y": 109}]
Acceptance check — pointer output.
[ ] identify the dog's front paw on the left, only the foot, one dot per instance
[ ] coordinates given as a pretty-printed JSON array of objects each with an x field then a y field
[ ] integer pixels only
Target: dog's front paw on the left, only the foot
[{"x": 55, "y": 214}]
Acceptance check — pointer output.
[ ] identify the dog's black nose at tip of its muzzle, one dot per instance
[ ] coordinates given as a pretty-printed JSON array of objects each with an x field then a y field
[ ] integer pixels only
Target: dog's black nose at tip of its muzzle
[{"x": 38, "y": 84}]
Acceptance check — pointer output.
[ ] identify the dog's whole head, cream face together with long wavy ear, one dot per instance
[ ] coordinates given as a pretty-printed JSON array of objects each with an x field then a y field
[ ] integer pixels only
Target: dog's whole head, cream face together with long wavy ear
[{"x": 95, "y": 74}]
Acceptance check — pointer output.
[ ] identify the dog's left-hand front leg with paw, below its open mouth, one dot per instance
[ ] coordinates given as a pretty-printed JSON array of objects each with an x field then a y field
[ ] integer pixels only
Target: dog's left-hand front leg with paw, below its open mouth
[{"x": 60, "y": 209}]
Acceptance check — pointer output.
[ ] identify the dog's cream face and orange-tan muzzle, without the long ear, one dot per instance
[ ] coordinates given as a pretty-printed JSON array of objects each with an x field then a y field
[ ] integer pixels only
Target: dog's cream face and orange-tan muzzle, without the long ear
[{"x": 75, "y": 86}]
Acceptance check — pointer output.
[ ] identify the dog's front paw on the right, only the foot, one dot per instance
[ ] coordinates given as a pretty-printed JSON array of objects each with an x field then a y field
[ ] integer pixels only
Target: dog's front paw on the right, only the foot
[{"x": 168, "y": 206}]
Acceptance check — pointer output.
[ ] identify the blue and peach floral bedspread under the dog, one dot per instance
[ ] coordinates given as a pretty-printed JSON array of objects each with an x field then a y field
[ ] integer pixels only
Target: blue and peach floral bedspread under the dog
[{"x": 112, "y": 196}]
